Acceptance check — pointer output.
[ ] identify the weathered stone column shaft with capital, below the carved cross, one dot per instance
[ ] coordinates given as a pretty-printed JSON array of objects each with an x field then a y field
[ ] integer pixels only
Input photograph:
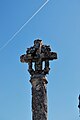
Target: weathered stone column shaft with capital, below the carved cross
[{"x": 39, "y": 97}]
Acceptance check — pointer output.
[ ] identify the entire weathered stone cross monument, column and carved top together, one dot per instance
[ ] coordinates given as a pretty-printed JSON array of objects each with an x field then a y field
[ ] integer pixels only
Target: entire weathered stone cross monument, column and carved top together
[{"x": 38, "y": 57}]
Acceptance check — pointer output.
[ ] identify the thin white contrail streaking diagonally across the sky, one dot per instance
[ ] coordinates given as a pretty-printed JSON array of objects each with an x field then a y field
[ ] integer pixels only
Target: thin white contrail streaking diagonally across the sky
[{"x": 23, "y": 26}]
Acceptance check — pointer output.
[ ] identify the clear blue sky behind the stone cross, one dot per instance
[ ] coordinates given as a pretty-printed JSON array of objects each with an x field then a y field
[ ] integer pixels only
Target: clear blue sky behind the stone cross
[{"x": 58, "y": 25}]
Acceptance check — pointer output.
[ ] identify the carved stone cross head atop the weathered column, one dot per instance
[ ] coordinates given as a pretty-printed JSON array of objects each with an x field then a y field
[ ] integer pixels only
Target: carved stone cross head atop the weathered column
[{"x": 38, "y": 54}]
